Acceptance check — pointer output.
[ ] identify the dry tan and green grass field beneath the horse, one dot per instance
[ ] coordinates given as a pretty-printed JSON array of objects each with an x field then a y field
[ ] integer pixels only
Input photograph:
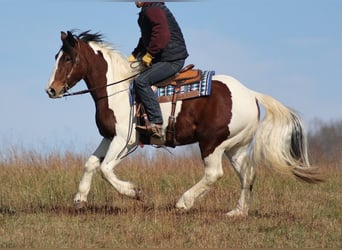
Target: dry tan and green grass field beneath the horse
[{"x": 36, "y": 209}]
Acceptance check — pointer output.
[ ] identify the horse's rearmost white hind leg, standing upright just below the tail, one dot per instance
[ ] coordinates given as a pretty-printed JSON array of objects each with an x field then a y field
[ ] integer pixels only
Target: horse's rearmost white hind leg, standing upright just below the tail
[{"x": 246, "y": 173}]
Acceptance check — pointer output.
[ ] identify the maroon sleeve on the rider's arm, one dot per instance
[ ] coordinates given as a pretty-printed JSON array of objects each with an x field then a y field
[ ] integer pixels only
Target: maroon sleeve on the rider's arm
[{"x": 160, "y": 33}]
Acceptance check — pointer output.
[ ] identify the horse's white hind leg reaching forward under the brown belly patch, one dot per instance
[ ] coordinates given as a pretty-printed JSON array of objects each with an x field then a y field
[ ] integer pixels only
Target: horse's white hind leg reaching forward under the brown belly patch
[{"x": 213, "y": 171}]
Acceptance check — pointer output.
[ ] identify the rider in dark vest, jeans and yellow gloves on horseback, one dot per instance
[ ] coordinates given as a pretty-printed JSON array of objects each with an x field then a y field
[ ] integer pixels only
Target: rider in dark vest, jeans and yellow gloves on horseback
[{"x": 162, "y": 49}]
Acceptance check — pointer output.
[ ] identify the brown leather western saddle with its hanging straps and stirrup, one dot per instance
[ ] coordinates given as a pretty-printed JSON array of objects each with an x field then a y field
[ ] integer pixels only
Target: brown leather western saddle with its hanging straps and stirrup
[{"x": 186, "y": 76}]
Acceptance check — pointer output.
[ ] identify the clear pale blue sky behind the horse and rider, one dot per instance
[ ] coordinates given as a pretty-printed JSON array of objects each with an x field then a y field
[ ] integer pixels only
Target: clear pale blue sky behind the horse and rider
[{"x": 289, "y": 49}]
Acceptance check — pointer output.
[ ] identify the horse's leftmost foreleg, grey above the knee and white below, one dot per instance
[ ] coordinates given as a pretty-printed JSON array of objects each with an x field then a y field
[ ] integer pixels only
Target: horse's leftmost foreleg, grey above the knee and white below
[{"x": 89, "y": 169}]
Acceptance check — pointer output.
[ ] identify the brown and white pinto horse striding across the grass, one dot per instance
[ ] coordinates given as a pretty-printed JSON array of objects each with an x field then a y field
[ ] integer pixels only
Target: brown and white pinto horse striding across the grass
[{"x": 227, "y": 122}]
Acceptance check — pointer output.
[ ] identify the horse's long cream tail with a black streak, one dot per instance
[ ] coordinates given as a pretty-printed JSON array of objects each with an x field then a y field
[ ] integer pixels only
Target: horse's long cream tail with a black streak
[{"x": 280, "y": 142}]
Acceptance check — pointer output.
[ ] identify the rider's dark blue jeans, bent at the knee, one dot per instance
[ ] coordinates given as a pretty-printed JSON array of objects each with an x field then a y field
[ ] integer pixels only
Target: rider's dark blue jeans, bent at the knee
[{"x": 142, "y": 83}]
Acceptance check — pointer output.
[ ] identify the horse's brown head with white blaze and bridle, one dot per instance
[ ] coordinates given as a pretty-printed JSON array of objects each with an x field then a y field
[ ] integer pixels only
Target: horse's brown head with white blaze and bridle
[{"x": 69, "y": 68}]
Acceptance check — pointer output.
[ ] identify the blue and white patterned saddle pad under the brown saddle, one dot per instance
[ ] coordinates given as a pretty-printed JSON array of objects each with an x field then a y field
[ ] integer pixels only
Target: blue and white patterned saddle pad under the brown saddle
[{"x": 192, "y": 90}]
